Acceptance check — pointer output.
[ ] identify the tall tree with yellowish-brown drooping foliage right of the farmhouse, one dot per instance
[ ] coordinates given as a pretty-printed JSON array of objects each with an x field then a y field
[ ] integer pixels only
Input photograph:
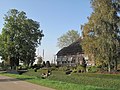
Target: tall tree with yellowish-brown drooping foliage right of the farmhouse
[{"x": 101, "y": 33}]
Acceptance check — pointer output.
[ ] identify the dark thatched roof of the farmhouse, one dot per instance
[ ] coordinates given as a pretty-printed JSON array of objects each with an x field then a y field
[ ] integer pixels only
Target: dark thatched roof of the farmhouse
[{"x": 72, "y": 49}]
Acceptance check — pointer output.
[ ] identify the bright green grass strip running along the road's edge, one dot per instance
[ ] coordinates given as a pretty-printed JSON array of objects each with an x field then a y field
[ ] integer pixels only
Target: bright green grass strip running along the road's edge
[{"x": 58, "y": 85}]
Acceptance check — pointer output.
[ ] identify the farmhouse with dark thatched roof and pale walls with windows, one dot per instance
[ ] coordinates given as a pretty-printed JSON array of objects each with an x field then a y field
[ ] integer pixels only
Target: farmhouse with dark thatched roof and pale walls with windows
[{"x": 72, "y": 55}]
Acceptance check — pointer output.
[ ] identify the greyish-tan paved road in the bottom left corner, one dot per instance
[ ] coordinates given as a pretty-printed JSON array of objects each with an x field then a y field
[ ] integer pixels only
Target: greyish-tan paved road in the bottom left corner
[{"x": 7, "y": 83}]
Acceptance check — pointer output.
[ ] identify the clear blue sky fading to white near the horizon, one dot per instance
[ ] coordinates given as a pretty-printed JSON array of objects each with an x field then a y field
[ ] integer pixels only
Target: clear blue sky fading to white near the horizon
[{"x": 56, "y": 17}]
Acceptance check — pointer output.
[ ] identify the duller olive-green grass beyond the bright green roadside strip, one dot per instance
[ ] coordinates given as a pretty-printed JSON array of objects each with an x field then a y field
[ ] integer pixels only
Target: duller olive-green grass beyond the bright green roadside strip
[{"x": 106, "y": 81}]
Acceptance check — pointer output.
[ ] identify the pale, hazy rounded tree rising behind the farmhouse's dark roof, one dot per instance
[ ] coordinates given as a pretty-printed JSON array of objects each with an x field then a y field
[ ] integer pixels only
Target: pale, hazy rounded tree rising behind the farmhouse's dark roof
[{"x": 68, "y": 38}]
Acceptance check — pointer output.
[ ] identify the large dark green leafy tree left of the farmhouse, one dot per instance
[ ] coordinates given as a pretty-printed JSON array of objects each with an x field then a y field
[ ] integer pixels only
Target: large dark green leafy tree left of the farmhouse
[{"x": 19, "y": 38}]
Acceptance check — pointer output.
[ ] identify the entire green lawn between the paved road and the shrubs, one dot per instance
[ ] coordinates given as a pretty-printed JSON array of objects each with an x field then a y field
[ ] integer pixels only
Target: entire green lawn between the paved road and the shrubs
[{"x": 59, "y": 81}]
